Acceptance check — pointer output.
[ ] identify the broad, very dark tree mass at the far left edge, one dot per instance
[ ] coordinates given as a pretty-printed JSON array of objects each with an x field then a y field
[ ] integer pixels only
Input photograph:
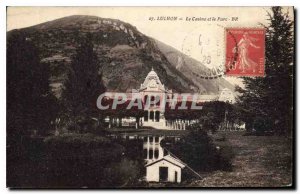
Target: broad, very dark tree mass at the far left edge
[{"x": 30, "y": 104}]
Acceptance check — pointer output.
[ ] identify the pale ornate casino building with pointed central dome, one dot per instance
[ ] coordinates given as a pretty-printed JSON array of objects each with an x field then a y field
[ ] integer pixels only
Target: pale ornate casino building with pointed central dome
[{"x": 153, "y": 116}]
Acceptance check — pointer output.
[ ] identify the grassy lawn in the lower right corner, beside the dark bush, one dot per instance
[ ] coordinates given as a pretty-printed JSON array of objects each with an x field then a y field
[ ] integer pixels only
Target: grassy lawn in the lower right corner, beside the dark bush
[{"x": 260, "y": 161}]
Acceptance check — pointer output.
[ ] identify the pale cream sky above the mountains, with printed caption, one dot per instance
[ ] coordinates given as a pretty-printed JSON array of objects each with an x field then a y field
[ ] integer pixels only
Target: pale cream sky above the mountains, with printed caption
[{"x": 174, "y": 33}]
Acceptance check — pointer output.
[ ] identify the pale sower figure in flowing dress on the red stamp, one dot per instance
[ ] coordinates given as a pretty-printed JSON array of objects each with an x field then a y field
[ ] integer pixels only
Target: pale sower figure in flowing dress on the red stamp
[{"x": 242, "y": 49}]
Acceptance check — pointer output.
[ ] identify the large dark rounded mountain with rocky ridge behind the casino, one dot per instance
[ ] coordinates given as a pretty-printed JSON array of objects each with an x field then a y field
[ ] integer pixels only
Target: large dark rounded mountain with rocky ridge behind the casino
[{"x": 125, "y": 55}]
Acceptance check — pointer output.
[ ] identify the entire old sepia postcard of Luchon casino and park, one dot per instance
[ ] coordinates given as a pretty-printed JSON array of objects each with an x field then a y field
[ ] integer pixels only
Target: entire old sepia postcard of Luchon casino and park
[{"x": 150, "y": 97}]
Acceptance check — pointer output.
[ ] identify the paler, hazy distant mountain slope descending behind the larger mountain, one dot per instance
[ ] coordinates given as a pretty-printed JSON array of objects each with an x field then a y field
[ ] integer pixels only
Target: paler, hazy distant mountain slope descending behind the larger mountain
[{"x": 192, "y": 69}]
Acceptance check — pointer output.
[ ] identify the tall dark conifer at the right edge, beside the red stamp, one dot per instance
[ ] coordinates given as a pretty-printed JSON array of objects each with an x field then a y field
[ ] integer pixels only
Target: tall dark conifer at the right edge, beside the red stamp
[{"x": 269, "y": 99}]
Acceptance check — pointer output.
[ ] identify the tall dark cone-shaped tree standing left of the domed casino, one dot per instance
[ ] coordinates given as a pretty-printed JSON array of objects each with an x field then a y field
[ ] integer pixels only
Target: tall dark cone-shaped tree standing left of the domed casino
[{"x": 83, "y": 87}]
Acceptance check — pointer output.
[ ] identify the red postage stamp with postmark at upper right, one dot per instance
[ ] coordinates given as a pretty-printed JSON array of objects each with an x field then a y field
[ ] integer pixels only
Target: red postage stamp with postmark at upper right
[{"x": 245, "y": 51}]
